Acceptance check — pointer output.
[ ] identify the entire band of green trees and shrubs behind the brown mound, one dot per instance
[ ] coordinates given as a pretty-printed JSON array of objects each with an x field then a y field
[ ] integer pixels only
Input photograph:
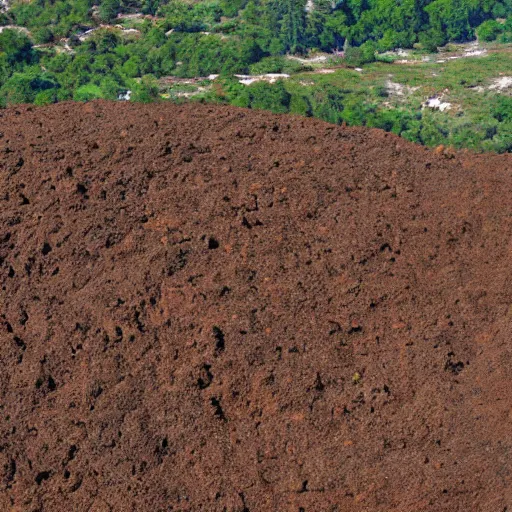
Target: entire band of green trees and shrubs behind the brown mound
[{"x": 57, "y": 57}]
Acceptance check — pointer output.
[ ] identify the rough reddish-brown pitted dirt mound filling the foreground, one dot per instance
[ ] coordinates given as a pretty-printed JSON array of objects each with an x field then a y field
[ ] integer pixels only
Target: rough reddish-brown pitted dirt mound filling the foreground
[{"x": 212, "y": 309}]
